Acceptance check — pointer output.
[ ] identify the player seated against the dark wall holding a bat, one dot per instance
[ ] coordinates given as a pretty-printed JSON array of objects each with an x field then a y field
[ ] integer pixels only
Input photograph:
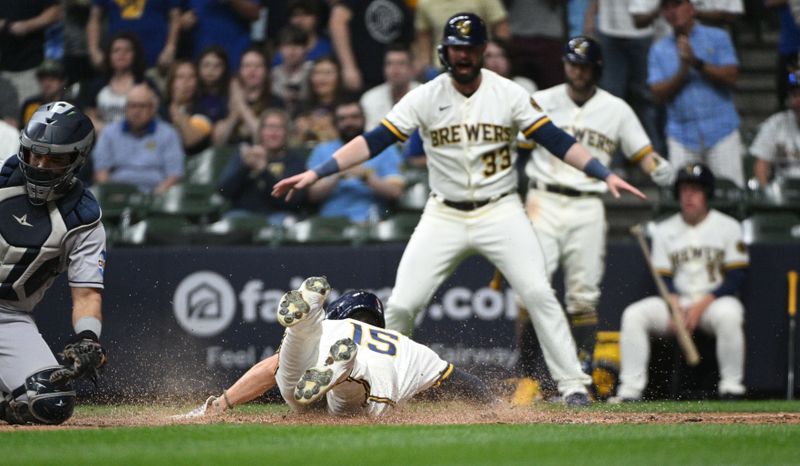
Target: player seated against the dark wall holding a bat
[{"x": 701, "y": 257}]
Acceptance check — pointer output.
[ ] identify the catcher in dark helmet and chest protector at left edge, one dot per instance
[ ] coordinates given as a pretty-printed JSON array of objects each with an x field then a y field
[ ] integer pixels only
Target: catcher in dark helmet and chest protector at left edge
[{"x": 49, "y": 223}]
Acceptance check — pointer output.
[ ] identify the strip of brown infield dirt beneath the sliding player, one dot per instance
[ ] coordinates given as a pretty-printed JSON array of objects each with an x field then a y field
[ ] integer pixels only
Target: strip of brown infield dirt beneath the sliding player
[{"x": 418, "y": 414}]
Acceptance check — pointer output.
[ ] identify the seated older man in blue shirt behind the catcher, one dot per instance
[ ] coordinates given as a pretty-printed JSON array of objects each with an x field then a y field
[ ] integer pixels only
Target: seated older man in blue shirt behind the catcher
[{"x": 141, "y": 150}]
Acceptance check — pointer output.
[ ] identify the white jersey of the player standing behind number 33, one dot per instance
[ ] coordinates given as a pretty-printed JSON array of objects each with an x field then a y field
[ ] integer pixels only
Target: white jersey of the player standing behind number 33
[{"x": 602, "y": 124}]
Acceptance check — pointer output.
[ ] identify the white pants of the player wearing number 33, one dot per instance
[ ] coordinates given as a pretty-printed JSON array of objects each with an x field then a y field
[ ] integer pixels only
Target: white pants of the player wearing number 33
[{"x": 501, "y": 232}]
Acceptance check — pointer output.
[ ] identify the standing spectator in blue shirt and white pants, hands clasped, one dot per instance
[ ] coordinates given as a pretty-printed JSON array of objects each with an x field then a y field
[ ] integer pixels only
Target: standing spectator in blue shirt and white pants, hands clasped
[{"x": 693, "y": 71}]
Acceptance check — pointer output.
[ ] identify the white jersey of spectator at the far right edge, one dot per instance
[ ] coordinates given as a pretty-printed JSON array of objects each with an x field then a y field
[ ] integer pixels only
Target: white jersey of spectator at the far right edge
[{"x": 778, "y": 142}]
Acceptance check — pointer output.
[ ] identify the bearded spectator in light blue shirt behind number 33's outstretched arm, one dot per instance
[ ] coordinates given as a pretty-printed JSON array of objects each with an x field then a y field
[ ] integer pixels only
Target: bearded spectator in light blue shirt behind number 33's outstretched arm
[{"x": 363, "y": 191}]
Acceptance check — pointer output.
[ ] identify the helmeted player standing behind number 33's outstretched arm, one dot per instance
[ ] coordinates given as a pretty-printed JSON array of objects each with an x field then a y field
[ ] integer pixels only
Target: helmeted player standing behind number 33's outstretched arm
[{"x": 565, "y": 205}]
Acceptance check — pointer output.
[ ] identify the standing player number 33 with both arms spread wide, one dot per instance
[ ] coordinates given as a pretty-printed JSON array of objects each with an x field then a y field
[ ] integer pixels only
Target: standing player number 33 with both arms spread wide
[{"x": 468, "y": 119}]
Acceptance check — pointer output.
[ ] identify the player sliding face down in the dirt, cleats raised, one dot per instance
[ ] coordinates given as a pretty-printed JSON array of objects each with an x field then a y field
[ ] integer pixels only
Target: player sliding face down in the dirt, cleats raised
[{"x": 342, "y": 355}]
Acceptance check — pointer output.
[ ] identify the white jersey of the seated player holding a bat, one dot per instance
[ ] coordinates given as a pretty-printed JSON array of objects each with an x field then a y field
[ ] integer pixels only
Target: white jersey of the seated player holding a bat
[{"x": 698, "y": 256}]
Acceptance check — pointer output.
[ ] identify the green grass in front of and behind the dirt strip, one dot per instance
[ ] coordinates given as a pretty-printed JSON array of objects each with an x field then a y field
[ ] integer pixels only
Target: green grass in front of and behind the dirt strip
[{"x": 491, "y": 444}]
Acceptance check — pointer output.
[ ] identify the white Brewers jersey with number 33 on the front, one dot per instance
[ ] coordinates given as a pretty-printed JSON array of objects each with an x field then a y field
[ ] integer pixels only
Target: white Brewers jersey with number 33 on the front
[{"x": 468, "y": 140}]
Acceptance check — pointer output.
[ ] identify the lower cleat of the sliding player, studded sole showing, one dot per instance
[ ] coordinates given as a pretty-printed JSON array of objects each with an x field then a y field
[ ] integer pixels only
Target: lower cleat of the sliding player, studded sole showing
[{"x": 318, "y": 381}]
